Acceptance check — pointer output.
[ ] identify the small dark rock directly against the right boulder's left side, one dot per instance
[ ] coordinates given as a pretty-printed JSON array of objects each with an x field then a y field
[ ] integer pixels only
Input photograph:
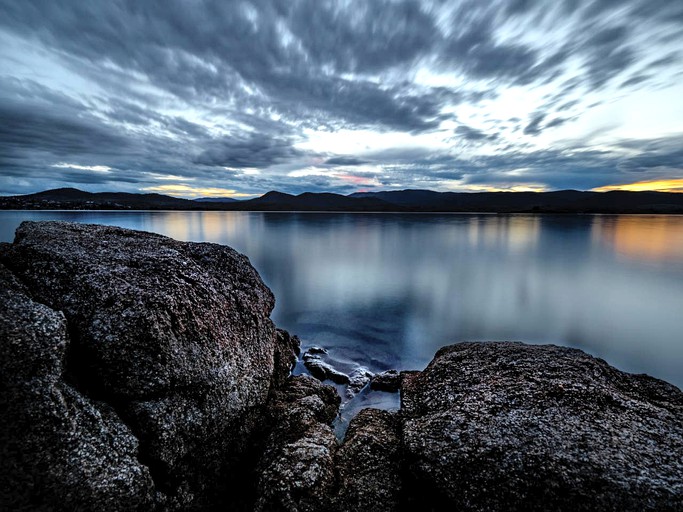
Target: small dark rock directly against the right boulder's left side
[{"x": 369, "y": 463}]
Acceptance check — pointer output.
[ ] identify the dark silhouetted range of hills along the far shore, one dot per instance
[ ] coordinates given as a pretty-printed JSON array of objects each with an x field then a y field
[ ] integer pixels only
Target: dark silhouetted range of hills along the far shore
[{"x": 563, "y": 201}]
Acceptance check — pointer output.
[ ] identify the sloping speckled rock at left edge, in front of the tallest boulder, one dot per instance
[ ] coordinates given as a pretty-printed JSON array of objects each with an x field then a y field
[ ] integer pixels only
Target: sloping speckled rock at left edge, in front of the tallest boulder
[{"x": 59, "y": 450}]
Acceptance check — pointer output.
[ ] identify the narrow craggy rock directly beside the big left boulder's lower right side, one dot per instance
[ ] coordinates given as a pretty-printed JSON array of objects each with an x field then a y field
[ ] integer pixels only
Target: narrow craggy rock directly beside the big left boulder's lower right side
[{"x": 297, "y": 470}]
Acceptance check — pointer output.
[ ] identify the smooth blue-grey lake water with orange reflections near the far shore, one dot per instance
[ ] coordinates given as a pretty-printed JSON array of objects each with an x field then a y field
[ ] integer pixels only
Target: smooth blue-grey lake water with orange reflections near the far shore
[{"x": 387, "y": 290}]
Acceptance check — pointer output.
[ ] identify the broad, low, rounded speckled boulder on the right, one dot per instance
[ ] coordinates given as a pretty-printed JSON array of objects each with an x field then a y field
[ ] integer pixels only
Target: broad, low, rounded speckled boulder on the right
[{"x": 507, "y": 426}]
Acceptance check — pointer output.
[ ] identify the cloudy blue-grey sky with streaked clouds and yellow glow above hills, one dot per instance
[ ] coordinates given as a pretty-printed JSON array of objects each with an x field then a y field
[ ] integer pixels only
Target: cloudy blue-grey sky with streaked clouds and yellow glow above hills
[{"x": 196, "y": 98}]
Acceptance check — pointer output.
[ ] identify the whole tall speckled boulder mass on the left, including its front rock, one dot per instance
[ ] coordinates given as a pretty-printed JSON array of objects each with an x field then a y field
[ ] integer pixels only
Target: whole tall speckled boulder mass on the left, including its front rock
[{"x": 141, "y": 363}]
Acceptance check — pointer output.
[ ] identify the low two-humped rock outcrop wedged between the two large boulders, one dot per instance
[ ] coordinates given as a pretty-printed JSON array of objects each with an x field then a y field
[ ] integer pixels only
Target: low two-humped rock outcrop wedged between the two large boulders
[{"x": 304, "y": 469}]
